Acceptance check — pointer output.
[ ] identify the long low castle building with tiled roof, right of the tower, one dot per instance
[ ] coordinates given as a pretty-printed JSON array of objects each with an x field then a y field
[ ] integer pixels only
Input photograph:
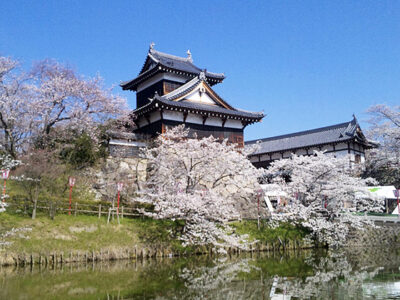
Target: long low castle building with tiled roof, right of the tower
[{"x": 340, "y": 139}]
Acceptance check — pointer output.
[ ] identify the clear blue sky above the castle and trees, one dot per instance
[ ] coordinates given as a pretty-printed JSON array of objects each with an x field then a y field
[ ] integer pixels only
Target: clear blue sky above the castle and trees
[{"x": 307, "y": 64}]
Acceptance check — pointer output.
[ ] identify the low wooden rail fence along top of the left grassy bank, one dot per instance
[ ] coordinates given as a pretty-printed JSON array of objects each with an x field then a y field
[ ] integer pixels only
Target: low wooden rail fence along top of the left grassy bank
[{"x": 54, "y": 207}]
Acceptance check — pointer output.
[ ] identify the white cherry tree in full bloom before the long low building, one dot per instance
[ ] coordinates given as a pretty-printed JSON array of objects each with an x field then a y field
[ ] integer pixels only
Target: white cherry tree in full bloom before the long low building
[{"x": 323, "y": 191}]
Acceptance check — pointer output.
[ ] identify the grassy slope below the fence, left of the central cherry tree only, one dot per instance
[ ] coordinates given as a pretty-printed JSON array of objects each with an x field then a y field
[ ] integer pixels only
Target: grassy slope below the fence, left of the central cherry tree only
[{"x": 84, "y": 233}]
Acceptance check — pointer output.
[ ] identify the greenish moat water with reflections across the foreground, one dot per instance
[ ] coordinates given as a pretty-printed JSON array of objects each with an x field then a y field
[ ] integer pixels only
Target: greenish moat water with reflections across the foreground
[{"x": 347, "y": 274}]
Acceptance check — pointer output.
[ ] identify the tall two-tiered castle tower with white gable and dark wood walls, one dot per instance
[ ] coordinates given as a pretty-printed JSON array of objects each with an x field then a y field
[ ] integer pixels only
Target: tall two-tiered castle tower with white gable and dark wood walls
[{"x": 171, "y": 90}]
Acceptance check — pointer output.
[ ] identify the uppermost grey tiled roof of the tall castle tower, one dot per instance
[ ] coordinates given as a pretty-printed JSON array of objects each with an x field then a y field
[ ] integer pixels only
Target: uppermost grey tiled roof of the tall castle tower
[{"x": 157, "y": 61}]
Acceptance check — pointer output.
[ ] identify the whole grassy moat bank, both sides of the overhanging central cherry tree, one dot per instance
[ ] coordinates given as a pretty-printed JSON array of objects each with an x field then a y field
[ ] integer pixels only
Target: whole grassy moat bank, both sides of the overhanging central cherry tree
[{"x": 86, "y": 234}]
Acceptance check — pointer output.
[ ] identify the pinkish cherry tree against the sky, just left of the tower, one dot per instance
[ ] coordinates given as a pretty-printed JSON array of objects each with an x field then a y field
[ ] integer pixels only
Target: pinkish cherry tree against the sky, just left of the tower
[{"x": 66, "y": 98}]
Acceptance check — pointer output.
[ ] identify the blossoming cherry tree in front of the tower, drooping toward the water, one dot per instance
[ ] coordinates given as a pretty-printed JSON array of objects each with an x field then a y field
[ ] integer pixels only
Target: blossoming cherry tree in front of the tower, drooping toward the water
[{"x": 199, "y": 180}]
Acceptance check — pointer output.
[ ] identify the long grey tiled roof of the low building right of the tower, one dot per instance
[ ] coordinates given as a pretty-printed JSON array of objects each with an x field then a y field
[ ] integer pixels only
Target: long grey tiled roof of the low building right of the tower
[{"x": 333, "y": 134}]
